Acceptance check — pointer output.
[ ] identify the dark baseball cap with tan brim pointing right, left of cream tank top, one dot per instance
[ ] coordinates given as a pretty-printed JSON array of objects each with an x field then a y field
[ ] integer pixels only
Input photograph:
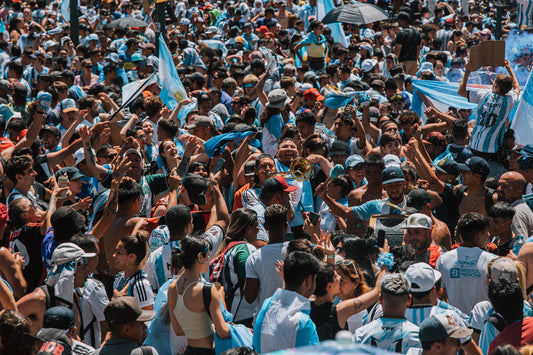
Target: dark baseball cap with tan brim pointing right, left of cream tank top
[{"x": 126, "y": 309}]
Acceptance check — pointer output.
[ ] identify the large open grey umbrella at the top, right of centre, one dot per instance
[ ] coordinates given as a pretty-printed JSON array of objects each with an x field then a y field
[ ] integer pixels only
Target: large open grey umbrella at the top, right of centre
[{"x": 358, "y": 13}]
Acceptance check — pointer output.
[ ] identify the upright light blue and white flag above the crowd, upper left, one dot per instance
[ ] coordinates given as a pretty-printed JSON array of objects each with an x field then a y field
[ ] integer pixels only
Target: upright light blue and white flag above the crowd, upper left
[{"x": 172, "y": 90}]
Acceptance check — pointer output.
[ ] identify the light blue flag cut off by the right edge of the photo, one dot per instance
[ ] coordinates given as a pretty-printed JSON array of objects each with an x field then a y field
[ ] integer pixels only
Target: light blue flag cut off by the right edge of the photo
[{"x": 522, "y": 122}]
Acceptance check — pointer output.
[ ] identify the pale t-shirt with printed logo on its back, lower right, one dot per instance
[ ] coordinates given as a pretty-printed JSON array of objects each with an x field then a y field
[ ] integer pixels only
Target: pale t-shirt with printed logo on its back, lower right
[{"x": 464, "y": 276}]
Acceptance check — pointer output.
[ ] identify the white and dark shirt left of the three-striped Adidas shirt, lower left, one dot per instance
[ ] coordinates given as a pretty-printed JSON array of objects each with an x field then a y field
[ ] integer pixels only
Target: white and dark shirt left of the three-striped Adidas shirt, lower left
[{"x": 93, "y": 302}]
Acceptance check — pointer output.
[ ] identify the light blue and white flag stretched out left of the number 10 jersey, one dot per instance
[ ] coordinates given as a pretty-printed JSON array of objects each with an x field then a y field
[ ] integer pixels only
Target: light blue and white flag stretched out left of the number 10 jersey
[{"x": 442, "y": 95}]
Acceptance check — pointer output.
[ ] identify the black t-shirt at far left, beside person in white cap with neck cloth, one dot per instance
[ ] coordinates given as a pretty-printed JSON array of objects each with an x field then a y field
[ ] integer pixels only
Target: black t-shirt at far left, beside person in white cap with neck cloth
[{"x": 27, "y": 240}]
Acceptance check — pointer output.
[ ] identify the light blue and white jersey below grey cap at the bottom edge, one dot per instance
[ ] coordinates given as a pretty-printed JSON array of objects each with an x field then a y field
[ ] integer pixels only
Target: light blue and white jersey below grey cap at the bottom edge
[{"x": 395, "y": 335}]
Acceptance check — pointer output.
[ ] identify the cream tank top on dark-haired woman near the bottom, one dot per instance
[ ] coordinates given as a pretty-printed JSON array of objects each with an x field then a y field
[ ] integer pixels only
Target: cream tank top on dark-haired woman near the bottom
[{"x": 195, "y": 325}]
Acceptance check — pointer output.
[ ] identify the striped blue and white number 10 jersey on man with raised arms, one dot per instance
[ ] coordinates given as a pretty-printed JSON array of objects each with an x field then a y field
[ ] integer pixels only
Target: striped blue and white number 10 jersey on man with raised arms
[{"x": 492, "y": 114}]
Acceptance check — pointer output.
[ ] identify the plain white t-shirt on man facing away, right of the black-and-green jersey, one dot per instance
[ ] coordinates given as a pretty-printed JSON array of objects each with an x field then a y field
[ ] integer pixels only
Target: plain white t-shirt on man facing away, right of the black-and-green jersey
[{"x": 261, "y": 265}]
